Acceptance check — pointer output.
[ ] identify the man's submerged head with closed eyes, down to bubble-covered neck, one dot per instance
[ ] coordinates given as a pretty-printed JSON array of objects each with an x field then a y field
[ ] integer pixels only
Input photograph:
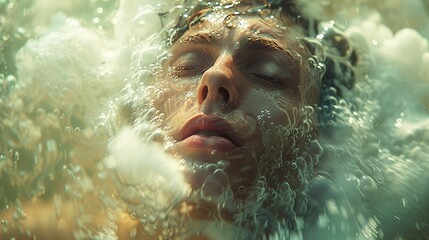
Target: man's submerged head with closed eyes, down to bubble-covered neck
[{"x": 236, "y": 99}]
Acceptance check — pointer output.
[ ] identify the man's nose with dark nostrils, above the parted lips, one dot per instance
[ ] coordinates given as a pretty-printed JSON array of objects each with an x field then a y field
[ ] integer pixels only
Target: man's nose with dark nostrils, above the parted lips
[{"x": 217, "y": 83}]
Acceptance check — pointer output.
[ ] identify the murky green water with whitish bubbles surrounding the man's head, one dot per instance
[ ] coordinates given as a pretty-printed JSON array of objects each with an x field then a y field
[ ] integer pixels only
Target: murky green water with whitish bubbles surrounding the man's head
[{"x": 79, "y": 115}]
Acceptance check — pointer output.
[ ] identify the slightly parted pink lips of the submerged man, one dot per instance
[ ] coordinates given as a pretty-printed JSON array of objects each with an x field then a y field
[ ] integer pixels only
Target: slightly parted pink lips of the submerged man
[{"x": 203, "y": 134}]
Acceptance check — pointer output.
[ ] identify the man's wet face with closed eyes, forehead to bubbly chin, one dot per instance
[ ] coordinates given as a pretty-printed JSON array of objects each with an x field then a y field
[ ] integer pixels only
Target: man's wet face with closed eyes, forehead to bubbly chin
[{"x": 231, "y": 96}]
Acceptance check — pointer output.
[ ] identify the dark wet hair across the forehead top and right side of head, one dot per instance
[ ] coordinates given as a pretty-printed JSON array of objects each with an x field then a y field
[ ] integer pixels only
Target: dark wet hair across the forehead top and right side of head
[{"x": 329, "y": 49}]
